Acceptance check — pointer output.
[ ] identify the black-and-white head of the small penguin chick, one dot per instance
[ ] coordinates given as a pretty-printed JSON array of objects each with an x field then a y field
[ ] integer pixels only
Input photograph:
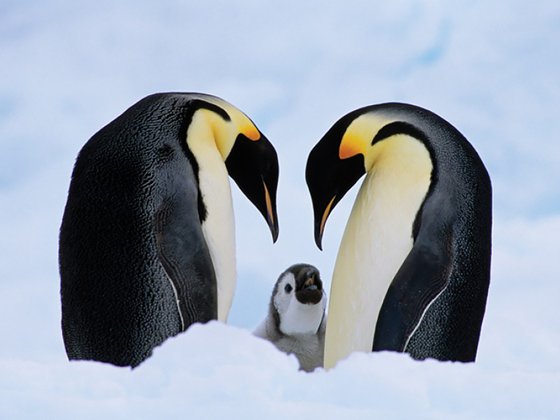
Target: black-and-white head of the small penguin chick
[{"x": 298, "y": 300}]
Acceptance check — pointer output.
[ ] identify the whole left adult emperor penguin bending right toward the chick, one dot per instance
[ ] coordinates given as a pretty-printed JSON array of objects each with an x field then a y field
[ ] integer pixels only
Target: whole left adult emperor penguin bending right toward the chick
[{"x": 147, "y": 243}]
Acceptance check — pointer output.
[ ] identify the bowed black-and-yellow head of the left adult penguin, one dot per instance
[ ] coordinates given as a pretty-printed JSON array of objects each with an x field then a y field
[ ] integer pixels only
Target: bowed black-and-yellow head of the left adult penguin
[{"x": 250, "y": 158}]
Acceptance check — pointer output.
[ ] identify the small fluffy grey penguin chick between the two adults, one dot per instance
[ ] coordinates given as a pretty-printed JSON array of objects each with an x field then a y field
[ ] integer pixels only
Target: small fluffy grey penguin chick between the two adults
[{"x": 296, "y": 319}]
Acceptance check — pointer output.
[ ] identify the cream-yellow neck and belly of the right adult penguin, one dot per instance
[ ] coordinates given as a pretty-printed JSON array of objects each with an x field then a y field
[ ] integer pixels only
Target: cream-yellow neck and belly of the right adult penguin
[{"x": 376, "y": 241}]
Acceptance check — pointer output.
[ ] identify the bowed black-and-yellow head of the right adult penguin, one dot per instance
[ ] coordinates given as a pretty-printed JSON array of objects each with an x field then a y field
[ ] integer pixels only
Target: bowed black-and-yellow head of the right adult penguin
[{"x": 351, "y": 148}]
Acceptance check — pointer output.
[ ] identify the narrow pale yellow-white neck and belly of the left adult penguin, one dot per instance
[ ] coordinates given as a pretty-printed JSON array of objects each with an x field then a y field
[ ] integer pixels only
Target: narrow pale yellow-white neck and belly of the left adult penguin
[{"x": 218, "y": 226}]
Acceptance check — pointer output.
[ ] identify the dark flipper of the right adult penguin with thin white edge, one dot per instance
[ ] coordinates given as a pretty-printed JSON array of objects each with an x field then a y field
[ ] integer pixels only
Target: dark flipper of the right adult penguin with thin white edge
[{"x": 419, "y": 281}]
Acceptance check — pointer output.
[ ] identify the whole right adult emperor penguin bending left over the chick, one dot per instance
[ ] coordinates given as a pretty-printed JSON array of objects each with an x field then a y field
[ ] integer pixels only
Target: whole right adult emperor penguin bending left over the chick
[{"x": 413, "y": 267}]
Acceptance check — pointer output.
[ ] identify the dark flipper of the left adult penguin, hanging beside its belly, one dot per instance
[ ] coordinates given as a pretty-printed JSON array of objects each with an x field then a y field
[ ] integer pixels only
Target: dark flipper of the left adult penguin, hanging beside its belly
[{"x": 184, "y": 255}]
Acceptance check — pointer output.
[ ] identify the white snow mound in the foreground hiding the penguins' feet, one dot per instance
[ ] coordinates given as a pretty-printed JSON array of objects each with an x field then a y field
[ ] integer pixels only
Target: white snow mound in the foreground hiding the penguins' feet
[{"x": 217, "y": 371}]
